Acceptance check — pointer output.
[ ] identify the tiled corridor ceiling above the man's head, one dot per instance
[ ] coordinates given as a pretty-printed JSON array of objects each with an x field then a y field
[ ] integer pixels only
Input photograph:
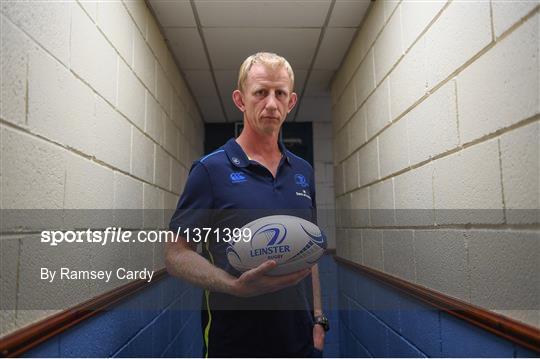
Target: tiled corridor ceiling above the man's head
[{"x": 211, "y": 38}]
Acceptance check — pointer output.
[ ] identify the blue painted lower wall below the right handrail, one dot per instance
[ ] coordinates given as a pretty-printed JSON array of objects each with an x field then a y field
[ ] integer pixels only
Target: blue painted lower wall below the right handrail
[{"x": 384, "y": 321}]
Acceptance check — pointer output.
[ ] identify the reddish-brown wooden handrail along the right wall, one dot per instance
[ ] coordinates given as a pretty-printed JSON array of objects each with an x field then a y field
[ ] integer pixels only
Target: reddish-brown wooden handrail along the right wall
[{"x": 514, "y": 331}]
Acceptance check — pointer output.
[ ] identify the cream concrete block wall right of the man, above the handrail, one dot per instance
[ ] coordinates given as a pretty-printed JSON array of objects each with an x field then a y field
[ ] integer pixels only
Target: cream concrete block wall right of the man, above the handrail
[{"x": 436, "y": 157}]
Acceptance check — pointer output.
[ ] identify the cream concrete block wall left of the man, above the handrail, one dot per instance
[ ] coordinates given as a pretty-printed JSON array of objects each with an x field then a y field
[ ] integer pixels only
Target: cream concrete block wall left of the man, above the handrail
[{"x": 94, "y": 115}]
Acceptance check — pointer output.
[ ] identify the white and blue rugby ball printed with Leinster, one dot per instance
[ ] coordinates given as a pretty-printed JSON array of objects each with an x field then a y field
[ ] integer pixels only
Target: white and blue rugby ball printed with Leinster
[{"x": 292, "y": 242}]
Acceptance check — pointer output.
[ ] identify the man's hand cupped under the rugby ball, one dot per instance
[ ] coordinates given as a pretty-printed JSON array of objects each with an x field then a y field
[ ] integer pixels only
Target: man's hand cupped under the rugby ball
[{"x": 255, "y": 281}]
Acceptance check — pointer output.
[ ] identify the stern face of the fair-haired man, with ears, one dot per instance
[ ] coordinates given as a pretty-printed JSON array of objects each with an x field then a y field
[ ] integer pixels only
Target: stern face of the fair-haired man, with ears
[{"x": 266, "y": 99}]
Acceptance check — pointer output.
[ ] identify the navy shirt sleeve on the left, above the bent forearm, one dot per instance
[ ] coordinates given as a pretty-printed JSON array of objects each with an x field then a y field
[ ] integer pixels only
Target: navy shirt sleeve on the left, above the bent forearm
[{"x": 195, "y": 204}]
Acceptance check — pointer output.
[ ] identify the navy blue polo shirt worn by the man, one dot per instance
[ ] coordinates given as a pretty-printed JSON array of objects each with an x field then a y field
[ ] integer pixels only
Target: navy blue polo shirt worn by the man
[{"x": 226, "y": 190}]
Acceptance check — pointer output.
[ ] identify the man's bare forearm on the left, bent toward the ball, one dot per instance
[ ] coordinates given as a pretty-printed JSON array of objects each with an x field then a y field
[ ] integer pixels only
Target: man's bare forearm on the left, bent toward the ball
[{"x": 192, "y": 267}]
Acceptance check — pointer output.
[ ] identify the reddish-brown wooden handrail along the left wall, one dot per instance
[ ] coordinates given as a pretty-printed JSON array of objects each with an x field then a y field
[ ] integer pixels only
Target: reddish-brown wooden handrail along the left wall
[{"x": 24, "y": 339}]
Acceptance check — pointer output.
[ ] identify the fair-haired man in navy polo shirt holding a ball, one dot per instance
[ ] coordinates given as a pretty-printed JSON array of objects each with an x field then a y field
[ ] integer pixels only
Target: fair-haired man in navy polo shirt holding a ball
[{"x": 251, "y": 313}]
